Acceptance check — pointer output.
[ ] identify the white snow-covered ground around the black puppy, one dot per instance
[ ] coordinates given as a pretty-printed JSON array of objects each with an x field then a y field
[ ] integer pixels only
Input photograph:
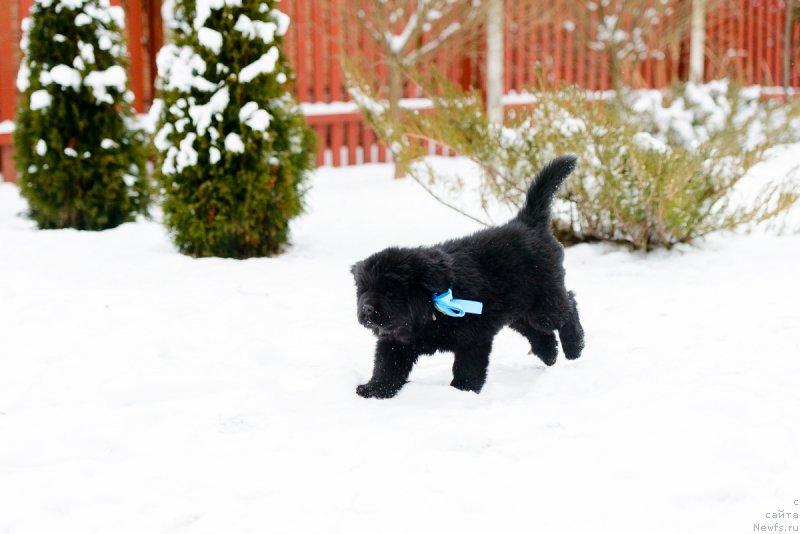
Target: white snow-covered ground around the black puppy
[{"x": 142, "y": 391}]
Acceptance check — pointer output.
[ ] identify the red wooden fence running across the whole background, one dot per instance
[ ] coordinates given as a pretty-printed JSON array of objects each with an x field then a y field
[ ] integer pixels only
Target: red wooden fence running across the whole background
[{"x": 743, "y": 37}]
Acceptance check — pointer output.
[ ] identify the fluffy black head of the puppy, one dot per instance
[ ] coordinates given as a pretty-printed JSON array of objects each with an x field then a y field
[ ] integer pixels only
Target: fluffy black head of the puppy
[{"x": 395, "y": 287}]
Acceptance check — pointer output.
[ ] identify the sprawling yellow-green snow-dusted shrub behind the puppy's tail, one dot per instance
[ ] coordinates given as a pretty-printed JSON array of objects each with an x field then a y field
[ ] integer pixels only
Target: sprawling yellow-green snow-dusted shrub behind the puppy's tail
[{"x": 655, "y": 169}]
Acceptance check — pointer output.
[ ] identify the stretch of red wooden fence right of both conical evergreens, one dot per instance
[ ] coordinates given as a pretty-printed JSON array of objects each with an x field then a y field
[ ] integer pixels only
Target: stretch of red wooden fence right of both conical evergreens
[{"x": 744, "y": 38}]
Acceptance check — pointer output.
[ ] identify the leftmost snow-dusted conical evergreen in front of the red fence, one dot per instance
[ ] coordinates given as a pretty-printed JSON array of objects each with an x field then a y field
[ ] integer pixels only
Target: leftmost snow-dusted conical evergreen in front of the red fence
[{"x": 79, "y": 153}]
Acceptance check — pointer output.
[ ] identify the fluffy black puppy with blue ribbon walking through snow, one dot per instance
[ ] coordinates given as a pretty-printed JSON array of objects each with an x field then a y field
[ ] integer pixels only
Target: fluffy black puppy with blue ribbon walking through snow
[{"x": 515, "y": 270}]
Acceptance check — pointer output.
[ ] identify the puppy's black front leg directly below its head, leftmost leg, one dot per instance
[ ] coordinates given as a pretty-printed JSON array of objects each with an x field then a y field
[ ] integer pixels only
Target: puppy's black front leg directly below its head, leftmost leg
[{"x": 393, "y": 363}]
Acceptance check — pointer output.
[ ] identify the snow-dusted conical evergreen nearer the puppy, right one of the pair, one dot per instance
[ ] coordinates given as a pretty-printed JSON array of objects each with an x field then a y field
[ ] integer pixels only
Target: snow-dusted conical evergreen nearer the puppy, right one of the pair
[{"x": 234, "y": 150}]
